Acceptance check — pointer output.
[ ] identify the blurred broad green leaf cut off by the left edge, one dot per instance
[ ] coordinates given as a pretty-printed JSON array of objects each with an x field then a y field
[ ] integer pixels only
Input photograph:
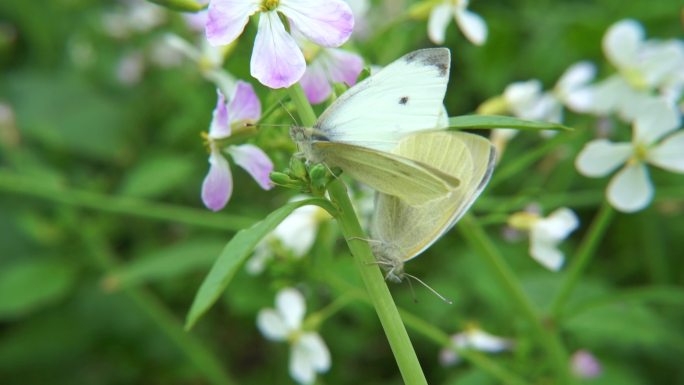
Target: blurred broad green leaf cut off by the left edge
[{"x": 28, "y": 285}]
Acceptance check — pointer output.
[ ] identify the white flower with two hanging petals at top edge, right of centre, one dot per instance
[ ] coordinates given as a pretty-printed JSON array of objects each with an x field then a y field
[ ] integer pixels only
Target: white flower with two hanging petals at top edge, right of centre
[{"x": 471, "y": 24}]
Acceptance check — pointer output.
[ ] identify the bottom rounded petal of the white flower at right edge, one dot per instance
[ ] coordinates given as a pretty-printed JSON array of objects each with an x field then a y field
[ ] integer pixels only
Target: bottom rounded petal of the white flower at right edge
[{"x": 631, "y": 189}]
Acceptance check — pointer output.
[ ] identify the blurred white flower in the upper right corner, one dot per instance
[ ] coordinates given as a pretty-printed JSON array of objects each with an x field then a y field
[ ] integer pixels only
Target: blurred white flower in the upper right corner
[{"x": 644, "y": 67}]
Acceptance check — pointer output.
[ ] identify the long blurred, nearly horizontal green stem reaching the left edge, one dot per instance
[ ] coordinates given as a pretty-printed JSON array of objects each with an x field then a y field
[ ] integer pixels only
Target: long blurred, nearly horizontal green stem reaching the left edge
[{"x": 27, "y": 186}]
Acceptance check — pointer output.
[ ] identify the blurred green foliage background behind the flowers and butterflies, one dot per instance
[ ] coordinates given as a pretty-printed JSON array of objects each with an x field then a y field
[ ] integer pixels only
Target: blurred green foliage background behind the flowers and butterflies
[{"x": 104, "y": 239}]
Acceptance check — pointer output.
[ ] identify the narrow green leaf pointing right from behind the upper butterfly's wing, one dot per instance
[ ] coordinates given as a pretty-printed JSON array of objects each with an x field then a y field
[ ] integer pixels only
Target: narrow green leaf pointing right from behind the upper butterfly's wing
[{"x": 495, "y": 121}]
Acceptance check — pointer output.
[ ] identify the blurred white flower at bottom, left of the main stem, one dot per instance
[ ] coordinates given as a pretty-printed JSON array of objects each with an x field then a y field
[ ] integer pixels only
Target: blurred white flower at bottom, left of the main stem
[{"x": 308, "y": 353}]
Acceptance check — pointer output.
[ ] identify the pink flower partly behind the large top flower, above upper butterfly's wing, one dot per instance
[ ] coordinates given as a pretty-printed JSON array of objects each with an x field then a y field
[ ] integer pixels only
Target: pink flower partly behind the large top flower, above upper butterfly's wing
[{"x": 329, "y": 66}]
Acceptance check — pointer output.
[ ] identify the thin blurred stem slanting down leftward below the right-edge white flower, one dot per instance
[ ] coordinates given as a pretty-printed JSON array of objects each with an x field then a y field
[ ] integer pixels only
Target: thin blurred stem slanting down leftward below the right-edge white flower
[{"x": 581, "y": 260}]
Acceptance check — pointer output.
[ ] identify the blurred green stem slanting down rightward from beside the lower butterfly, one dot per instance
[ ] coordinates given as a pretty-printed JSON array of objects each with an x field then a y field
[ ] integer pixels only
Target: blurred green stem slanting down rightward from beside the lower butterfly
[{"x": 480, "y": 242}]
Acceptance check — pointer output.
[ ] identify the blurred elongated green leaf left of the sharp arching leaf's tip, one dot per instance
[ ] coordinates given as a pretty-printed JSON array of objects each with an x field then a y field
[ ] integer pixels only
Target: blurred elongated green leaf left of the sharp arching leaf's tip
[{"x": 165, "y": 264}]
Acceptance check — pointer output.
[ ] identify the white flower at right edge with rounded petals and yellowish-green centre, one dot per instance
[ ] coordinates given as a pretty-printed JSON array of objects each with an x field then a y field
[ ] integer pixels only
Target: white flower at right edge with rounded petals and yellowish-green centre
[{"x": 655, "y": 141}]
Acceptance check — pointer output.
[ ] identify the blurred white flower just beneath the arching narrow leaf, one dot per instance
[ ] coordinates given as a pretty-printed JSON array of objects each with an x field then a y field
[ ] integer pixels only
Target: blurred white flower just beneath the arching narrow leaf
[{"x": 296, "y": 233}]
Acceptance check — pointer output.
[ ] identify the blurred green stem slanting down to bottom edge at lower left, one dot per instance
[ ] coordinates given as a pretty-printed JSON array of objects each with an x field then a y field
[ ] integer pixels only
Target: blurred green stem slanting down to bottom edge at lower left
[{"x": 200, "y": 356}]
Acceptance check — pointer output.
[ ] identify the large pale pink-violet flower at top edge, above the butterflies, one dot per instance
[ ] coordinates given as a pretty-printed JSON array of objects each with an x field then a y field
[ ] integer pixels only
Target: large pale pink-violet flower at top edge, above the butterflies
[{"x": 277, "y": 61}]
